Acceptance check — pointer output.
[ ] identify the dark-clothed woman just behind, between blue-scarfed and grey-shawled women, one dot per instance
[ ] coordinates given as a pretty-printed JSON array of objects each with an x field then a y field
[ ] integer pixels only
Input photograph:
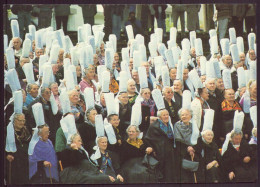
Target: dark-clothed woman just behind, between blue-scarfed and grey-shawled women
[{"x": 169, "y": 104}]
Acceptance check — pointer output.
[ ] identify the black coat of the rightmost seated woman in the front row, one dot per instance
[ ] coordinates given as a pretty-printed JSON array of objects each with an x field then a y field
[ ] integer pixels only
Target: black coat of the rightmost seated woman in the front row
[{"x": 233, "y": 161}]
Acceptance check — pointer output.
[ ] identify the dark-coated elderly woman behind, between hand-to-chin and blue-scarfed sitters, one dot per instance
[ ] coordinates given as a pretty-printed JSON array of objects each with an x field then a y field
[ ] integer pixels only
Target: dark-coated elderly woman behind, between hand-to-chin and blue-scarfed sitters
[{"x": 87, "y": 130}]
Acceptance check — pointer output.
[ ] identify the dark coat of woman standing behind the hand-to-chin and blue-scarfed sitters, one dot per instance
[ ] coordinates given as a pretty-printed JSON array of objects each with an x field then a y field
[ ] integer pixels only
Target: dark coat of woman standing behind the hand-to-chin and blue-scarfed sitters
[{"x": 88, "y": 136}]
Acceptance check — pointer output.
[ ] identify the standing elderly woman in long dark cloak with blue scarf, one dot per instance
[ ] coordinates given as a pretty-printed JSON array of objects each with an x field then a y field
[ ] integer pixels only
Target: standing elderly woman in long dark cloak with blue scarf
[{"x": 160, "y": 137}]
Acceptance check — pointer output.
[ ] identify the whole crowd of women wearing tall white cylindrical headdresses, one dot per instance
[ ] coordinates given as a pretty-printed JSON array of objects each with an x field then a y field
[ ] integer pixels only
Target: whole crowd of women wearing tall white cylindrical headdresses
[{"x": 84, "y": 114}]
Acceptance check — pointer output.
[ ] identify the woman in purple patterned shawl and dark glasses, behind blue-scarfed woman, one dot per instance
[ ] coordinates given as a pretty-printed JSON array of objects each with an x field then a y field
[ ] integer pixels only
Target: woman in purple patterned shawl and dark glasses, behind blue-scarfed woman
[{"x": 149, "y": 110}]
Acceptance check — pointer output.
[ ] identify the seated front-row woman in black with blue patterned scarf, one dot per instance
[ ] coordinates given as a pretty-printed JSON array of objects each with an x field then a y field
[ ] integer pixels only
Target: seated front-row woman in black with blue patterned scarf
[{"x": 108, "y": 162}]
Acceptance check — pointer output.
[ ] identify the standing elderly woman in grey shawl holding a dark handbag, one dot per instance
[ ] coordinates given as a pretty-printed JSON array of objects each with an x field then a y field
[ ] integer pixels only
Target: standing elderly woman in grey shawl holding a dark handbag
[{"x": 184, "y": 150}]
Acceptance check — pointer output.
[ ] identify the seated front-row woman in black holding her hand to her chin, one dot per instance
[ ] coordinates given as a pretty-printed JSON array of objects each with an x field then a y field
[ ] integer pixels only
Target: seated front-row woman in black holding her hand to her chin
[{"x": 77, "y": 167}]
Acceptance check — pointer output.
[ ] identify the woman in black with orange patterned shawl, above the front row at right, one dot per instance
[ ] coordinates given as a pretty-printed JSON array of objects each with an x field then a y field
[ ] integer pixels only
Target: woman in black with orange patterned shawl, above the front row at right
[{"x": 228, "y": 108}]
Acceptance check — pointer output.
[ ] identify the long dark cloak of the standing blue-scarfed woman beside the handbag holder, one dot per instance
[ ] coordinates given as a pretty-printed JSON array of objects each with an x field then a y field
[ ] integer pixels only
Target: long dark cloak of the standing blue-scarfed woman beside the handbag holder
[{"x": 163, "y": 148}]
